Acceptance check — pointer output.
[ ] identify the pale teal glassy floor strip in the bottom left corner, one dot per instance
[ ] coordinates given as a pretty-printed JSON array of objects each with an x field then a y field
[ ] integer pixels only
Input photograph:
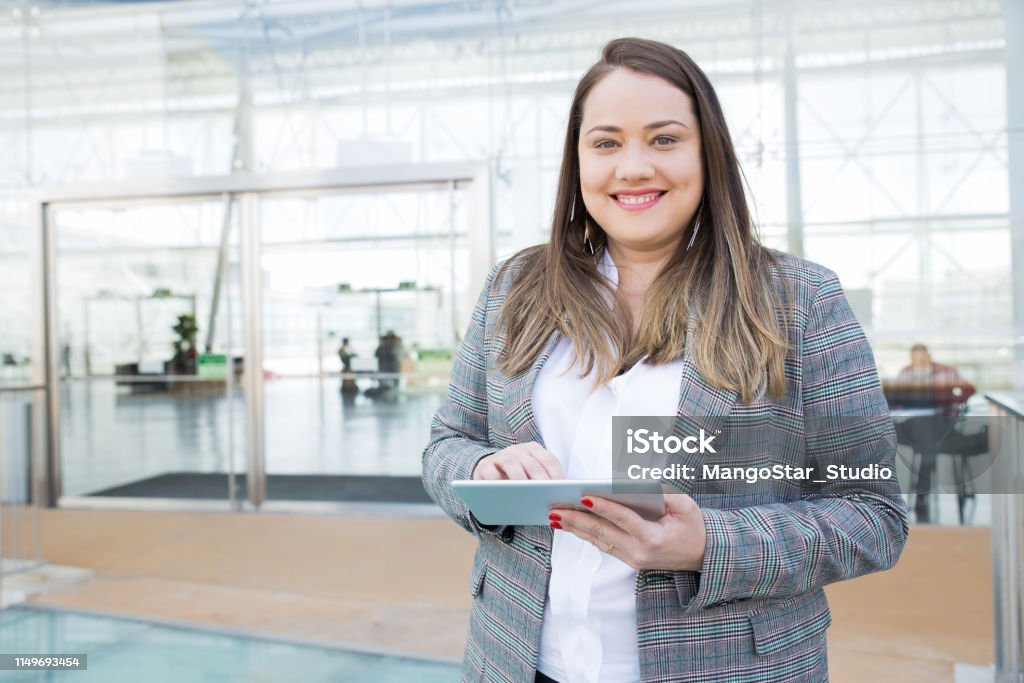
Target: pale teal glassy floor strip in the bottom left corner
[{"x": 129, "y": 652}]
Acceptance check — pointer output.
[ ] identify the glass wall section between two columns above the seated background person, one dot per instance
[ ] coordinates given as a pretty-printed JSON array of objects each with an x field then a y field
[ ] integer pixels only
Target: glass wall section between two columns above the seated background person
[{"x": 913, "y": 161}]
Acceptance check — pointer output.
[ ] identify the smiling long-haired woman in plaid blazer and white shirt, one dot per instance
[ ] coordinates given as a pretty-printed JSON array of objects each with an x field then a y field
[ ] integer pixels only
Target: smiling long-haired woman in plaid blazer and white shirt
[{"x": 654, "y": 297}]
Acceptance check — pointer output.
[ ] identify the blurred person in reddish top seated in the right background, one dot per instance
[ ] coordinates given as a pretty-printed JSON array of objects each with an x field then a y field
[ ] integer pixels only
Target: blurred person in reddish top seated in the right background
[{"x": 928, "y": 385}]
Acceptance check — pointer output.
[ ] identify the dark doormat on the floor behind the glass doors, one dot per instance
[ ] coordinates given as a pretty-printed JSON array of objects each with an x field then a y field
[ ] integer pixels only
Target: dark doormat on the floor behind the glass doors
[{"x": 332, "y": 488}]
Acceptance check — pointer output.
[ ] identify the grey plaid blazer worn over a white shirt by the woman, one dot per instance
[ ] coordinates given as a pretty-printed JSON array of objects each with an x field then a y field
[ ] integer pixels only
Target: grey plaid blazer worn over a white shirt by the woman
[{"x": 757, "y": 612}]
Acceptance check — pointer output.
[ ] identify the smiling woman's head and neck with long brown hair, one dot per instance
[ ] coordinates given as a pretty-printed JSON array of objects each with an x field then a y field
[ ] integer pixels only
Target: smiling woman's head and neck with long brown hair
[{"x": 649, "y": 160}]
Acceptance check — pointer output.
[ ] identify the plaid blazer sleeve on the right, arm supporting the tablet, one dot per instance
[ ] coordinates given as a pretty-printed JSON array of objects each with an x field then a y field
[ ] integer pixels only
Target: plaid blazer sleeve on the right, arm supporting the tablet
[{"x": 836, "y": 531}]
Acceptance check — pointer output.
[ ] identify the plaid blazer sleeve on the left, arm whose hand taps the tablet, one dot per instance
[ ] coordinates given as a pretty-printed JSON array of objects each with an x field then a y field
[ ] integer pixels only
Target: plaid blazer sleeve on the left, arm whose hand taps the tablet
[{"x": 459, "y": 430}]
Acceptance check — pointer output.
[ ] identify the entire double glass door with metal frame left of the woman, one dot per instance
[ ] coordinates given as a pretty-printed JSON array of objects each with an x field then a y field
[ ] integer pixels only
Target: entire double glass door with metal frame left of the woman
[{"x": 243, "y": 339}]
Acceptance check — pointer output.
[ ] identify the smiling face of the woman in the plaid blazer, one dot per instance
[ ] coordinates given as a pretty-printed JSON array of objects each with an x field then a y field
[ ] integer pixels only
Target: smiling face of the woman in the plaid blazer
[{"x": 641, "y": 166}]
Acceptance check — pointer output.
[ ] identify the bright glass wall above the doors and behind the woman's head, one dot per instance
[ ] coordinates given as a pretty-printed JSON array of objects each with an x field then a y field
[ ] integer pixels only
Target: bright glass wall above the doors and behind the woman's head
[{"x": 899, "y": 121}]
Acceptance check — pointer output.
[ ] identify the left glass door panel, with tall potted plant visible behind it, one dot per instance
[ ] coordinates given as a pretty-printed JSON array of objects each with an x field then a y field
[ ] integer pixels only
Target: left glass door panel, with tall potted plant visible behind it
[{"x": 150, "y": 322}]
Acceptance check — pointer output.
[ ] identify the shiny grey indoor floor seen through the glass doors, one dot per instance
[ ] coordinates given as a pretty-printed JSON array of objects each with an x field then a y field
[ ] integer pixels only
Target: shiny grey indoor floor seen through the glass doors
[{"x": 112, "y": 437}]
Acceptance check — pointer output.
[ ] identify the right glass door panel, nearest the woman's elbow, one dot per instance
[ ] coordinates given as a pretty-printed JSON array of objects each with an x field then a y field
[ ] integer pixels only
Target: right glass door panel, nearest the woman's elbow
[{"x": 364, "y": 298}]
